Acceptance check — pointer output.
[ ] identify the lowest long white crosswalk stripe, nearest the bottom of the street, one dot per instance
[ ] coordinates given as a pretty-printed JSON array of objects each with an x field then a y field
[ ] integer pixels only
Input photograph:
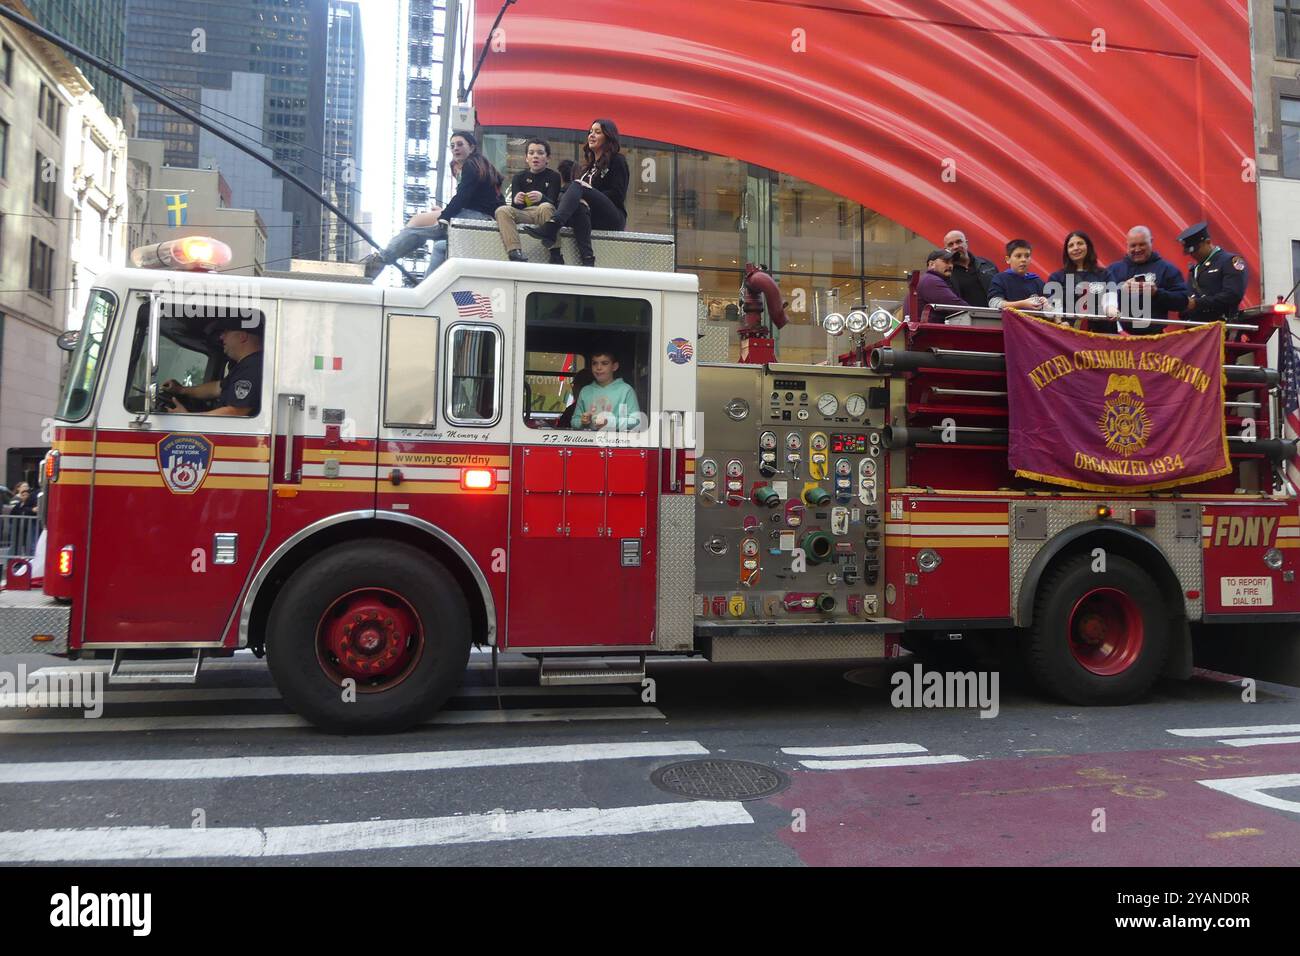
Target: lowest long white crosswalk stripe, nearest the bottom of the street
[{"x": 176, "y": 843}]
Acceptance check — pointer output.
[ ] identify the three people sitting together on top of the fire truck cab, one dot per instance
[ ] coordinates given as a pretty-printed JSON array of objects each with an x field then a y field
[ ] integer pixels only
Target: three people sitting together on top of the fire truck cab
[{"x": 541, "y": 200}]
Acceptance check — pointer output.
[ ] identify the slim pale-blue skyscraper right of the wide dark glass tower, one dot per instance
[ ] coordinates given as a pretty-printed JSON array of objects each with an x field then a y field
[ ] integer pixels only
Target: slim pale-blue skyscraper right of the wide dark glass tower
[{"x": 345, "y": 67}]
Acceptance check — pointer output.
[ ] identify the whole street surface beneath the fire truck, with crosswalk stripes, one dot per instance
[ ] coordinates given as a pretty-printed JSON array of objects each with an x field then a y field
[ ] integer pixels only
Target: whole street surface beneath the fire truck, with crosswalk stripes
[{"x": 223, "y": 772}]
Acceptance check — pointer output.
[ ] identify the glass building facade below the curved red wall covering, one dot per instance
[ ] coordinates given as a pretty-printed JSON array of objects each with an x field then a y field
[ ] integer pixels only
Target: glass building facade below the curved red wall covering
[{"x": 829, "y": 254}]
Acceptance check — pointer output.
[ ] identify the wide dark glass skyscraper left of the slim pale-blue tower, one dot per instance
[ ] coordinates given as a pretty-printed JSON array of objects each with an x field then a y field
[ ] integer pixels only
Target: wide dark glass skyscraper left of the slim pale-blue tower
[{"x": 190, "y": 46}]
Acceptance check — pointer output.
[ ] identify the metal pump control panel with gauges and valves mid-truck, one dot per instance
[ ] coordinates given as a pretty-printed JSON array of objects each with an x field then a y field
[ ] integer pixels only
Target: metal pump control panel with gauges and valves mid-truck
[{"x": 790, "y": 479}]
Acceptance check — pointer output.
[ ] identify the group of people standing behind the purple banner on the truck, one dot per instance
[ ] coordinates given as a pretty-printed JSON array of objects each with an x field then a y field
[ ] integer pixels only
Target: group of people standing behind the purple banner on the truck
[{"x": 1128, "y": 295}]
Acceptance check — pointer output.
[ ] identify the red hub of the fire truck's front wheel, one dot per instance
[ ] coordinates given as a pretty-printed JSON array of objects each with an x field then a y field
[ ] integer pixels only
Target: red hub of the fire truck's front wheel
[{"x": 372, "y": 637}]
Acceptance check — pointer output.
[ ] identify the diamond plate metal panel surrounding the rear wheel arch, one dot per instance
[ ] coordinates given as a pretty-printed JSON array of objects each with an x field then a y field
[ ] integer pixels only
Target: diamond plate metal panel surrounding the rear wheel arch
[{"x": 1184, "y": 555}]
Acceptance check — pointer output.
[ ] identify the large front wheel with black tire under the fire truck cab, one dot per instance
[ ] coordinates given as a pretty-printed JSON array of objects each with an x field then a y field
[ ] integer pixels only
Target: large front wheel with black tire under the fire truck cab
[{"x": 369, "y": 638}]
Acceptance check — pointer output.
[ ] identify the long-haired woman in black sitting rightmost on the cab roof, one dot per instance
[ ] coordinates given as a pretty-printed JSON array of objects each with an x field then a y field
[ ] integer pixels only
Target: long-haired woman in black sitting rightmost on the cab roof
[{"x": 596, "y": 197}]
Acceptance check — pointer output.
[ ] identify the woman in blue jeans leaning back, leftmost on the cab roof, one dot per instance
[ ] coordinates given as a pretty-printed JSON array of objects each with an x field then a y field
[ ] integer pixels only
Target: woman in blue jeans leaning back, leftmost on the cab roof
[{"x": 478, "y": 197}]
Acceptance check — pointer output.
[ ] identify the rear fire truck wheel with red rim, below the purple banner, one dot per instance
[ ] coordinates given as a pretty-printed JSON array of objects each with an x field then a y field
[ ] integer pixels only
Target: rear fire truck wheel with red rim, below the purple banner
[{"x": 1098, "y": 637}]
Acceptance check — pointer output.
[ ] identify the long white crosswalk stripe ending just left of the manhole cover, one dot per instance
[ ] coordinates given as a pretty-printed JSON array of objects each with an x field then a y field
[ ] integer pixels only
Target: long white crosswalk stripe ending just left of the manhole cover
[{"x": 336, "y": 764}]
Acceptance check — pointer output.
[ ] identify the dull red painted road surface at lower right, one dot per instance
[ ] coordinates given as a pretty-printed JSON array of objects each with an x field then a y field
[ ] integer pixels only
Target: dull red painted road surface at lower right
[{"x": 1039, "y": 812}]
